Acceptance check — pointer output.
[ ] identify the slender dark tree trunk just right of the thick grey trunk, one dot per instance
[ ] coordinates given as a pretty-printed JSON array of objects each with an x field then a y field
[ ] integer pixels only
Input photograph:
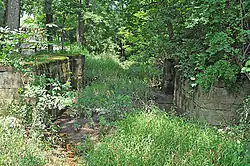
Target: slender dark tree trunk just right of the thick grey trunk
[{"x": 49, "y": 20}]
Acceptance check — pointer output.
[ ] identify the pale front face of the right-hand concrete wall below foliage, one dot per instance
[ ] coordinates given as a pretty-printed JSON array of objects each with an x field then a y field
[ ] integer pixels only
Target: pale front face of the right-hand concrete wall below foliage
[{"x": 218, "y": 105}]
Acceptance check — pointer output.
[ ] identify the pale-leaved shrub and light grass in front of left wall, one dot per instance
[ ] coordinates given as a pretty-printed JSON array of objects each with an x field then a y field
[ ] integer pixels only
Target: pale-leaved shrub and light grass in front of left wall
[{"x": 27, "y": 128}]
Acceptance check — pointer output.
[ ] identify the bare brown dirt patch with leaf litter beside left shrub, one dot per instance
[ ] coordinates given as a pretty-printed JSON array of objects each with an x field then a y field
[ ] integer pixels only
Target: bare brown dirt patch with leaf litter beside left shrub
[{"x": 74, "y": 132}]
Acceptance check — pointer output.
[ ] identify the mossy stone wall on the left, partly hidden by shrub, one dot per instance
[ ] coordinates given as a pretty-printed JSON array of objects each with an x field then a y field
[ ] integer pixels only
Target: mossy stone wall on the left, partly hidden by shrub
[{"x": 70, "y": 68}]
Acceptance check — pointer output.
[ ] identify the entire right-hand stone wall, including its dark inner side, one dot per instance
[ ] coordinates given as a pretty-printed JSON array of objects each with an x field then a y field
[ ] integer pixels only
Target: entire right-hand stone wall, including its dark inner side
[{"x": 217, "y": 106}]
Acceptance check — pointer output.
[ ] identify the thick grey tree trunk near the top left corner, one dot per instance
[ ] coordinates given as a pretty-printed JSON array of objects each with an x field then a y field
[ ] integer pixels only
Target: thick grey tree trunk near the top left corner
[{"x": 13, "y": 14}]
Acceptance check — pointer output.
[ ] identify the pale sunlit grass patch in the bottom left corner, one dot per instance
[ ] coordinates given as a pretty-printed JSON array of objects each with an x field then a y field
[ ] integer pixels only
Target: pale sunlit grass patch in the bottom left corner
[{"x": 15, "y": 147}]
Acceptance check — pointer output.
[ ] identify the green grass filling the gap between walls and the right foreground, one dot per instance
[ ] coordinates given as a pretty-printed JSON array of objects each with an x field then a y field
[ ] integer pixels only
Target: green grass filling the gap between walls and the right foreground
[{"x": 117, "y": 91}]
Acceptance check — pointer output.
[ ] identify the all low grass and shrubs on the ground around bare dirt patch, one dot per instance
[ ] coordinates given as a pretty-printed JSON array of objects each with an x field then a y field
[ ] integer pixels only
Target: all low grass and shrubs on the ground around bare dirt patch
[{"x": 143, "y": 135}]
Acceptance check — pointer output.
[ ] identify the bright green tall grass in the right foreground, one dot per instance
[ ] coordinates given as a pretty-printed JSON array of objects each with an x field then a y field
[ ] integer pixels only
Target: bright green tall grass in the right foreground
[{"x": 158, "y": 139}]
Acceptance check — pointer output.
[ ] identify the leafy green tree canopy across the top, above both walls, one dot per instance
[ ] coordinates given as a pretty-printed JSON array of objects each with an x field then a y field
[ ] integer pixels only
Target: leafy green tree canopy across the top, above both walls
[{"x": 209, "y": 38}]
